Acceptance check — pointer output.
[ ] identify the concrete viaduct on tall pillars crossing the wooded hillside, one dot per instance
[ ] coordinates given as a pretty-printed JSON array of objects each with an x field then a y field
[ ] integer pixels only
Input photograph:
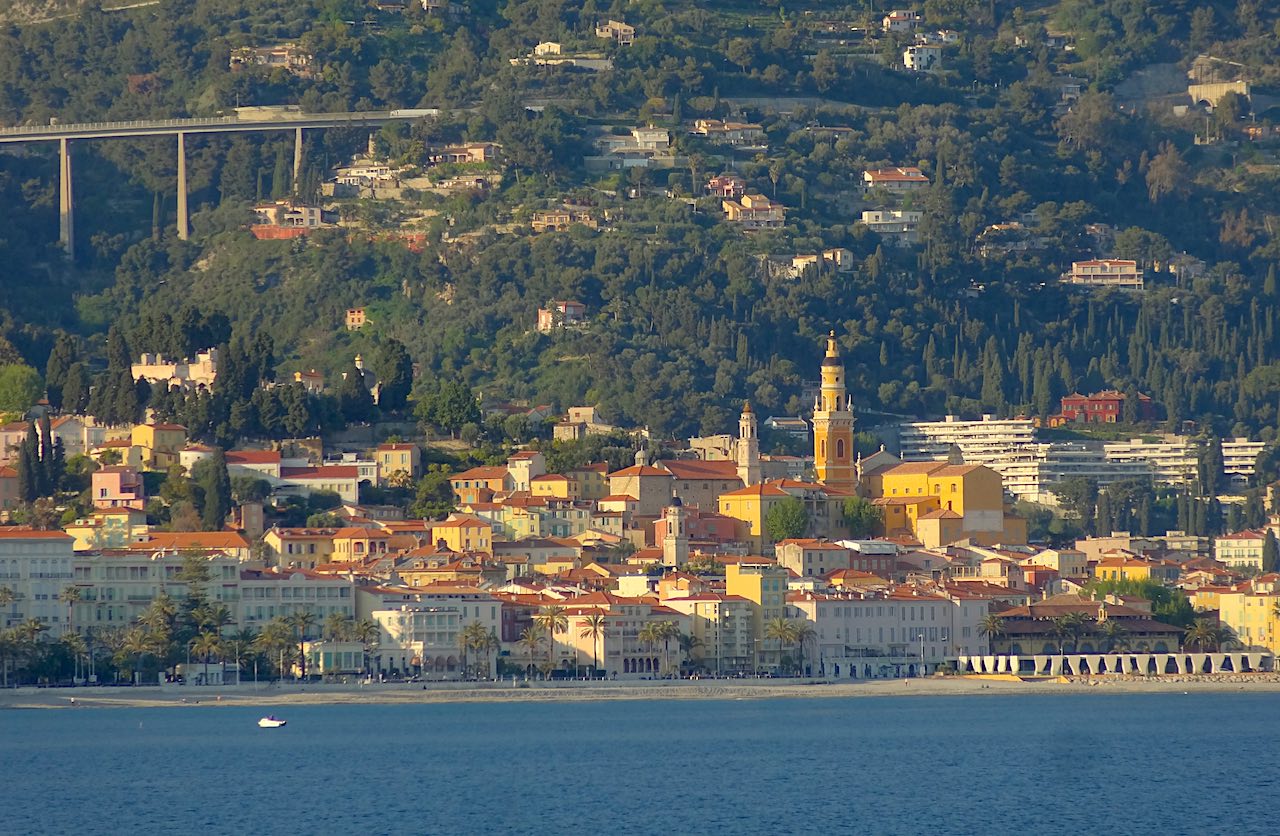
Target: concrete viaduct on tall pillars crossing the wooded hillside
[{"x": 240, "y": 124}]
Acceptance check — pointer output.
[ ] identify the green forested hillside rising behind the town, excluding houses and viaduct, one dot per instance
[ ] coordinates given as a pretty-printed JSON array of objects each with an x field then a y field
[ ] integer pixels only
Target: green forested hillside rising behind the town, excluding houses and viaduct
[{"x": 685, "y": 322}]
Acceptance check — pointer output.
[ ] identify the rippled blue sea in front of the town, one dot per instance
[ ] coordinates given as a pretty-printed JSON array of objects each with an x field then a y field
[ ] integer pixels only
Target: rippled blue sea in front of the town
[{"x": 1162, "y": 764}]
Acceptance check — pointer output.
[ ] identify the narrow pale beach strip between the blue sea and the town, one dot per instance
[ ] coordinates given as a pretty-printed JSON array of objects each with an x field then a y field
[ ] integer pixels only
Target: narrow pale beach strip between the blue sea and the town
[{"x": 387, "y": 695}]
